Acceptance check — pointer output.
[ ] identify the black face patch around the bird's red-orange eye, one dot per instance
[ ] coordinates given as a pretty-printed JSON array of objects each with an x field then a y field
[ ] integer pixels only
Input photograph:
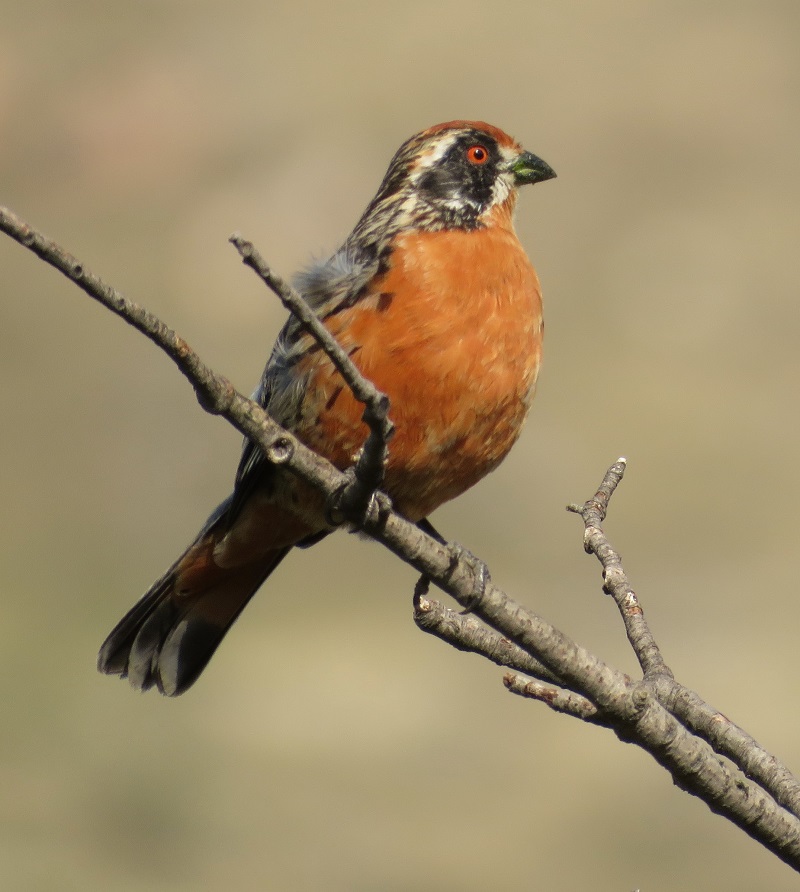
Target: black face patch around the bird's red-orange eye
[{"x": 455, "y": 180}]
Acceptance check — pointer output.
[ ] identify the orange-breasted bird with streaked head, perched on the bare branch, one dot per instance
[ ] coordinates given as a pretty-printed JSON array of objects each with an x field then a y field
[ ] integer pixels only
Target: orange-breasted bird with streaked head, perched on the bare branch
[{"x": 436, "y": 302}]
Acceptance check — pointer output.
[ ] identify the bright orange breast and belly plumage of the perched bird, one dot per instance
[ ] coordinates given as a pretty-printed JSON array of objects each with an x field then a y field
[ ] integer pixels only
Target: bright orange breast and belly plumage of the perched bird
[{"x": 452, "y": 334}]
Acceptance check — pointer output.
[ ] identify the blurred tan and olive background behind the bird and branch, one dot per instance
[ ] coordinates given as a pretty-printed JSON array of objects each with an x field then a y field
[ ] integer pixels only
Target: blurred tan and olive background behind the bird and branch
[{"x": 331, "y": 745}]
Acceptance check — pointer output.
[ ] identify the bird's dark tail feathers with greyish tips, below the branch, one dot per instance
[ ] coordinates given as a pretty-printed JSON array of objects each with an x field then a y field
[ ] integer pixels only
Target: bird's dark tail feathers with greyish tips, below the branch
[{"x": 167, "y": 638}]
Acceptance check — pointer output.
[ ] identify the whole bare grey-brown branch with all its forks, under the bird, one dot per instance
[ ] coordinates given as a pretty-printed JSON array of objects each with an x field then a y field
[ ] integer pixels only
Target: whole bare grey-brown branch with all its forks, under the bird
[{"x": 683, "y": 733}]
